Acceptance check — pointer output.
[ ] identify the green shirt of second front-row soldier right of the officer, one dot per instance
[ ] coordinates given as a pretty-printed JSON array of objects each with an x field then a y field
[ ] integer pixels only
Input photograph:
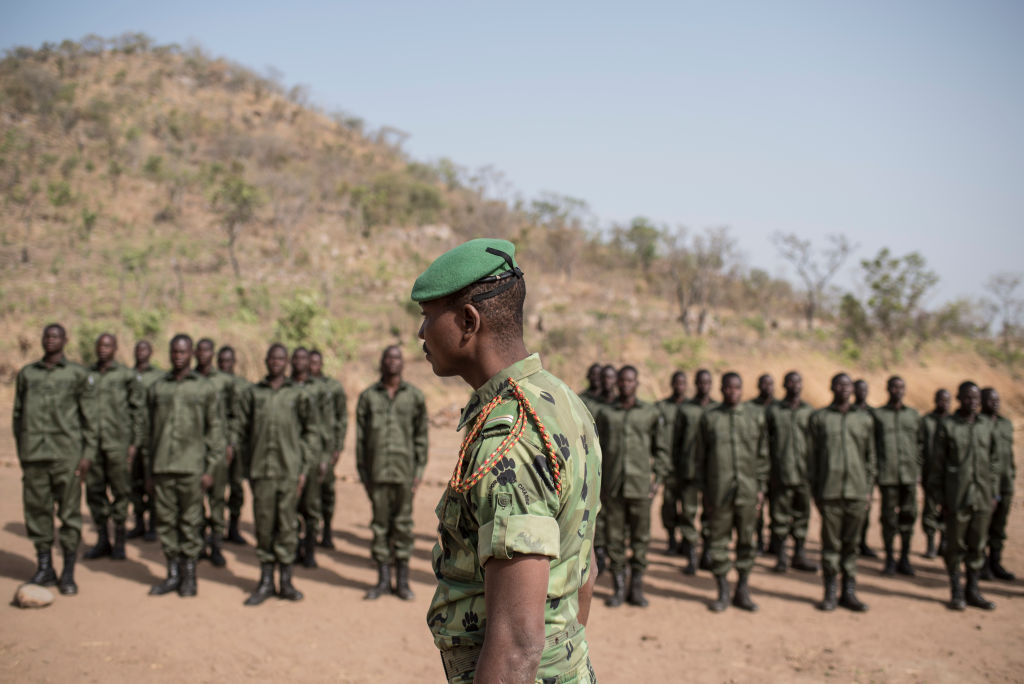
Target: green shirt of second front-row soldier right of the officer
[{"x": 733, "y": 454}]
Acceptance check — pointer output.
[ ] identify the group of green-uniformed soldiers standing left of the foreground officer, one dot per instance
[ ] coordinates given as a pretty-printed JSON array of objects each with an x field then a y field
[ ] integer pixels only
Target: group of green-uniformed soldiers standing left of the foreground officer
[{"x": 179, "y": 445}]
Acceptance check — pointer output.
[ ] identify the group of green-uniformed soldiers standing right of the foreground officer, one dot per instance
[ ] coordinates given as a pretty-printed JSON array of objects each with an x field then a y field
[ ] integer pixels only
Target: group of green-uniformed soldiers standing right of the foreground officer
[{"x": 730, "y": 458}]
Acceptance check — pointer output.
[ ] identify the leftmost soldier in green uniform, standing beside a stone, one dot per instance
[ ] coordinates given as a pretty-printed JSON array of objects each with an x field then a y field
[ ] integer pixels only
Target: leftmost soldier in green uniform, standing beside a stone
[{"x": 53, "y": 434}]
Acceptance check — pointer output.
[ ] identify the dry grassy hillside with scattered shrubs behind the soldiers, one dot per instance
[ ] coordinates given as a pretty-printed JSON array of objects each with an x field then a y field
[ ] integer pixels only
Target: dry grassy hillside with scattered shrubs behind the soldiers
[{"x": 149, "y": 190}]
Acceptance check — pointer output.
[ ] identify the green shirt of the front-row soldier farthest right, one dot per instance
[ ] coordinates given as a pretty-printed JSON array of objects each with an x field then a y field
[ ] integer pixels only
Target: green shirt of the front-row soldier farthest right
[{"x": 967, "y": 467}]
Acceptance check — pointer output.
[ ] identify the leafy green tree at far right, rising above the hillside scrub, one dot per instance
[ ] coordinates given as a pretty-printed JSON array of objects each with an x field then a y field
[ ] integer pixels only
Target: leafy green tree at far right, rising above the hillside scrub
[{"x": 899, "y": 287}]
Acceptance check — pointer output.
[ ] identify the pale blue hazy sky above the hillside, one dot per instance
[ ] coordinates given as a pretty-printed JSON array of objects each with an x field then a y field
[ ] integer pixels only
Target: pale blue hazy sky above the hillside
[{"x": 897, "y": 123}]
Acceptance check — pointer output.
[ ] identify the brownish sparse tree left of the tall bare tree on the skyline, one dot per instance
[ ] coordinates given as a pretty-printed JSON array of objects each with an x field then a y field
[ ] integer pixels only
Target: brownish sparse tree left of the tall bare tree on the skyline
[{"x": 697, "y": 270}]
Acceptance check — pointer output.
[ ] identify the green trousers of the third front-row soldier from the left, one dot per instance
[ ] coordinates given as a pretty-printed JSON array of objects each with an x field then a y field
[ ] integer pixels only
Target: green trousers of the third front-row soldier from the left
[{"x": 274, "y": 514}]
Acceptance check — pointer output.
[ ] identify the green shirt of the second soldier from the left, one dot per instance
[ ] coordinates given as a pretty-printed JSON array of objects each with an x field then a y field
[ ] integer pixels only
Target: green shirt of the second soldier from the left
[{"x": 119, "y": 402}]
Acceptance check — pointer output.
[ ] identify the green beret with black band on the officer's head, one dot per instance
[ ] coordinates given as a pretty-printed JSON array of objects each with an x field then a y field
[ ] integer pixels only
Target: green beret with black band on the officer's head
[{"x": 481, "y": 261}]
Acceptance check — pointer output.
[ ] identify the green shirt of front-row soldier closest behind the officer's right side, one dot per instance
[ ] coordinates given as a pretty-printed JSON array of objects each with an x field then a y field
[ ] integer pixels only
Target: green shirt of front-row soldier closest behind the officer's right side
[{"x": 633, "y": 446}]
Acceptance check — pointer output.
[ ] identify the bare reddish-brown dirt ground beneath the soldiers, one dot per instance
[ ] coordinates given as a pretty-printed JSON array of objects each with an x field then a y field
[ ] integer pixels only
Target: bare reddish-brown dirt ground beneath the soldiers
[{"x": 114, "y": 632}]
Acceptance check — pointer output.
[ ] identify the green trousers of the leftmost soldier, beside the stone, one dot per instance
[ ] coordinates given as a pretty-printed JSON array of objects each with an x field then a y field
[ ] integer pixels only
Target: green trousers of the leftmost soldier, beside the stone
[{"x": 47, "y": 486}]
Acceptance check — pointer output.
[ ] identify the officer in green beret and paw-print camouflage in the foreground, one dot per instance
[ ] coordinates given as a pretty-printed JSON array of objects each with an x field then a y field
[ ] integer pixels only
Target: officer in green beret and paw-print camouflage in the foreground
[{"x": 515, "y": 561}]
